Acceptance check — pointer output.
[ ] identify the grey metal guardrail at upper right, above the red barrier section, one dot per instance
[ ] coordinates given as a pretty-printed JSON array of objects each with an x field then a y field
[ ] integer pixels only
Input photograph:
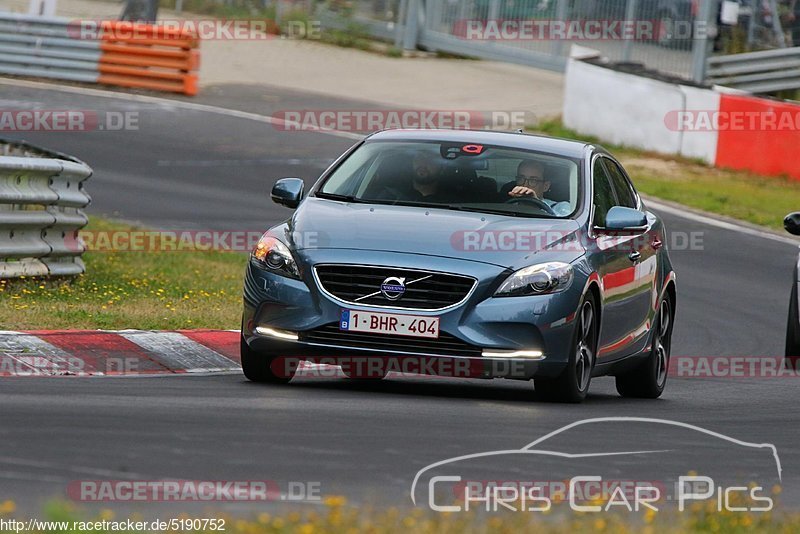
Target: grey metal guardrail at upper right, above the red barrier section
[{"x": 757, "y": 72}]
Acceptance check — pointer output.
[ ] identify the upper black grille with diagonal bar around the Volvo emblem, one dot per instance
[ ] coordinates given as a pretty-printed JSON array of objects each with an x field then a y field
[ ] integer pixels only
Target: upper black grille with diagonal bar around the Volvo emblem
[{"x": 424, "y": 290}]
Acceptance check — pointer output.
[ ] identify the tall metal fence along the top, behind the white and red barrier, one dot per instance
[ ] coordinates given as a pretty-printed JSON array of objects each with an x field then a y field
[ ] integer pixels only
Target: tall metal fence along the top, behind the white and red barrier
[{"x": 674, "y": 37}]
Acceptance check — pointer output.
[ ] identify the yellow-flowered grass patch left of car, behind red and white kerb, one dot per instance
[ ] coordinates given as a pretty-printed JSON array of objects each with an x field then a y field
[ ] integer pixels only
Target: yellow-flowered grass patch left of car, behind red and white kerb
[{"x": 147, "y": 290}]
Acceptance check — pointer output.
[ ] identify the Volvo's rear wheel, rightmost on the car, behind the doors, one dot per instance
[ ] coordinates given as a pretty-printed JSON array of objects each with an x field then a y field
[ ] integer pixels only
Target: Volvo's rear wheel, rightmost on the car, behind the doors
[{"x": 647, "y": 381}]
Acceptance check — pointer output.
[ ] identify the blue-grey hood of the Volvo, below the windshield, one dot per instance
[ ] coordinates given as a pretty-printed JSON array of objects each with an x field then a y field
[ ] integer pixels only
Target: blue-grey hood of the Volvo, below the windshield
[{"x": 481, "y": 237}]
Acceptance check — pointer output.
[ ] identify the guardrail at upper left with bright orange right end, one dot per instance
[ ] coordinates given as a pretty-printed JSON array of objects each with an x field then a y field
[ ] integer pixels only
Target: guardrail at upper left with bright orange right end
[{"x": 108, "y": 52}]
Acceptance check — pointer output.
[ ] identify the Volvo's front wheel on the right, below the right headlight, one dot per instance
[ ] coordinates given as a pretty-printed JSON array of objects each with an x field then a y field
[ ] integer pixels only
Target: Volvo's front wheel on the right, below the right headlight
[{"x": 573, "y": 382}]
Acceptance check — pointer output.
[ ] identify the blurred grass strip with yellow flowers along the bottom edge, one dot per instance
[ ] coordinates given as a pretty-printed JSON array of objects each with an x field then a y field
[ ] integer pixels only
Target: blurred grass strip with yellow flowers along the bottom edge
[{"x": 335, "y": 517}]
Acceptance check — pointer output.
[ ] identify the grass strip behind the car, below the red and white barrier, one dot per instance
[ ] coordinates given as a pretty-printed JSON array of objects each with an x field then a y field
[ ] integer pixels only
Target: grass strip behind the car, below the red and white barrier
[{"x": 757, "y": 199}]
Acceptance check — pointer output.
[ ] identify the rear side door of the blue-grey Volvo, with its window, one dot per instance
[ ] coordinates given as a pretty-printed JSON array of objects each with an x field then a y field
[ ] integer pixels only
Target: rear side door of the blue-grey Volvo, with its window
[{"x": 635, "y": 290}]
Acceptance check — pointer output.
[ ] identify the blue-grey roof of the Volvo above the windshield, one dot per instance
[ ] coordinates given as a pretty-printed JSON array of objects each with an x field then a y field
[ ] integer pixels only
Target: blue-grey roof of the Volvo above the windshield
[{"x": 552, "y": 145}]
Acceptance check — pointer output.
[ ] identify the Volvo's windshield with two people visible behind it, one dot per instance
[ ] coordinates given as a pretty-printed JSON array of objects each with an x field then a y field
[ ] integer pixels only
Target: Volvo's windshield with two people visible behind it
[{"x": 457, "y": 176}]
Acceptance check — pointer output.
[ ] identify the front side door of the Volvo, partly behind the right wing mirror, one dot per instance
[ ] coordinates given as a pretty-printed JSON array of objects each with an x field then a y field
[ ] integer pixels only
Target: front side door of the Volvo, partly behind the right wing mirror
[{"x": 612, "y": 261}]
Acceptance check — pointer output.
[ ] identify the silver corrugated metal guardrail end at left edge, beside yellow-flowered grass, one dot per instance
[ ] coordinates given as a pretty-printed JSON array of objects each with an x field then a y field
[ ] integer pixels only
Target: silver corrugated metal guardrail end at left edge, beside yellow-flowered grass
[{"x": 41, "y": 196}]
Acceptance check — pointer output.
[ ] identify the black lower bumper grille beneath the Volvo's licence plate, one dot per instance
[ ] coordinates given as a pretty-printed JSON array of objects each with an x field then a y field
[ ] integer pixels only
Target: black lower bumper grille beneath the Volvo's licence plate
[{"x": 445, "y": 345}]
